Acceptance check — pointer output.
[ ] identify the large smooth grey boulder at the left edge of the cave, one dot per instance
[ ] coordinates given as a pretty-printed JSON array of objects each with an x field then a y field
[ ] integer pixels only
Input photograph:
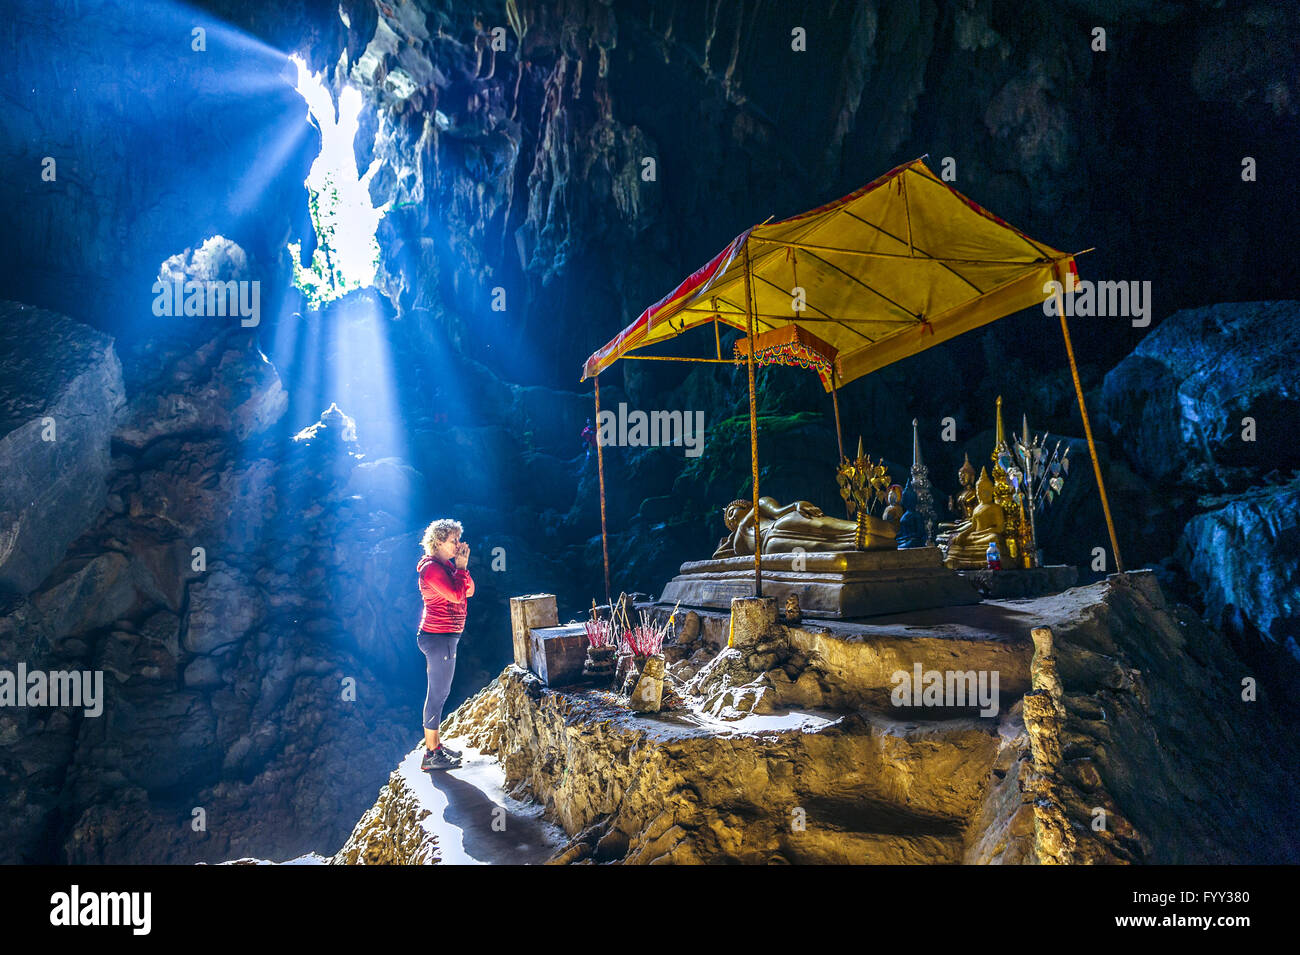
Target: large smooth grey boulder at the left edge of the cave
[{"x": 60, "y": 396}]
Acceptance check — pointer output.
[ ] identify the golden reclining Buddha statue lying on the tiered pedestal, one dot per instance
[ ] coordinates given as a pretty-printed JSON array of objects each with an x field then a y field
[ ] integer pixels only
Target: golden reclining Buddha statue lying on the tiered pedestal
[{"x": 799, "y": 527}]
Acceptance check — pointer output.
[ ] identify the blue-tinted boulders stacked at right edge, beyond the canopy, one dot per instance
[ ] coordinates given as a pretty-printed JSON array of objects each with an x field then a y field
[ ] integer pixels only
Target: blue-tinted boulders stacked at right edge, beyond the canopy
[{"x": 1208, "y": 406}]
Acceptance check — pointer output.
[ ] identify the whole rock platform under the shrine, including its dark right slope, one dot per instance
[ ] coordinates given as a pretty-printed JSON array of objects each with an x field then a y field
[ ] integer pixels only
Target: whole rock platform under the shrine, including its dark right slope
[{"x": 1100, "y": 753}]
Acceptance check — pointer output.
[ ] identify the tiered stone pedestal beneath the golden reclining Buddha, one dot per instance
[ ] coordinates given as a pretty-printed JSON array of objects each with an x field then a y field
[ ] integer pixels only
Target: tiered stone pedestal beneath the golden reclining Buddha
[{"x": 830, "y": 585}]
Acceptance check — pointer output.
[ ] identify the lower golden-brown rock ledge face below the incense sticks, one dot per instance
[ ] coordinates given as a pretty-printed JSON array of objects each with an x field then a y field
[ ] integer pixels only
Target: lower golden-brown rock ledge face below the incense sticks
[{"x": 677, "y": 795}]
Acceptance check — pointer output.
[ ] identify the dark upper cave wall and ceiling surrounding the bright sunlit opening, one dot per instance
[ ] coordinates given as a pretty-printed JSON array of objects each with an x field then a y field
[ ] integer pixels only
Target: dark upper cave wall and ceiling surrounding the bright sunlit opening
[{"x": 532, "y": 186}]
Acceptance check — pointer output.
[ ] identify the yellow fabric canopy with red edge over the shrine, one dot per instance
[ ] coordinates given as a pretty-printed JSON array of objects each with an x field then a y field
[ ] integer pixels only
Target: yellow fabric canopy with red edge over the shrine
[{"x": 889, "y": 271}]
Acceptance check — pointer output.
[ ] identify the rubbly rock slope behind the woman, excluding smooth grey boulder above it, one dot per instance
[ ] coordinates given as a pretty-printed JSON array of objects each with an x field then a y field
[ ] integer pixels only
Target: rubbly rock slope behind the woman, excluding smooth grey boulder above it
[{"x": 224, "y": 679}]
